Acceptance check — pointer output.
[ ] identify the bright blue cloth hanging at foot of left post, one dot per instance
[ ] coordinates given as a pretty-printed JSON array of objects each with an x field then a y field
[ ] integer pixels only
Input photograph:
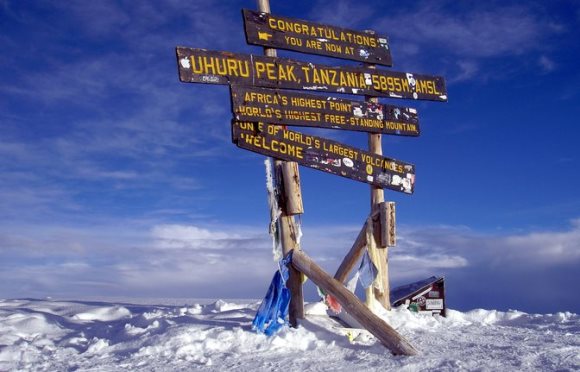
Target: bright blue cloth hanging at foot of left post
[{"x": 273, "y": 311}]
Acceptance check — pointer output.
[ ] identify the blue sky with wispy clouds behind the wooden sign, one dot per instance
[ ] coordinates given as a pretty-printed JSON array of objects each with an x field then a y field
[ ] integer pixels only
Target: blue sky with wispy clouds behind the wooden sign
[{"x": 118, "y": 180}]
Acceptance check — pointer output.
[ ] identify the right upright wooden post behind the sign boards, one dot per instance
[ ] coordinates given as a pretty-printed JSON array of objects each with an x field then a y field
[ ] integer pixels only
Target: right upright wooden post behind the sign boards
[{"x": 377, "y": 197}]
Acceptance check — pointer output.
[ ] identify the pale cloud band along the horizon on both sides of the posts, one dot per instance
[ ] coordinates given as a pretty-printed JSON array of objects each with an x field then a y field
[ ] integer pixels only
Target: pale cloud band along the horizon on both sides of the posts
[{"x": 177, "y": 260}]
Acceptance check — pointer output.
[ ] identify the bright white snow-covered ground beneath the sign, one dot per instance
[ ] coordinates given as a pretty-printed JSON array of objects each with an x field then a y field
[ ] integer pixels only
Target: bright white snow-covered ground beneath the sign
[{"x": 51, "y": 335}]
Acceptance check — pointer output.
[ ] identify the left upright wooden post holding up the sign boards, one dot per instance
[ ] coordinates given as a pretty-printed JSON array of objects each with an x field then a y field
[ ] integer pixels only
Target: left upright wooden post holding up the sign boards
[{"x": 291, "y": 205}]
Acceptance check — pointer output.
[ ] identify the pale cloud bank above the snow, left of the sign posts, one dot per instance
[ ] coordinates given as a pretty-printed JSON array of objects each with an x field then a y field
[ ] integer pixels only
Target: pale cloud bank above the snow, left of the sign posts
[{"x": 127, "y": 259}]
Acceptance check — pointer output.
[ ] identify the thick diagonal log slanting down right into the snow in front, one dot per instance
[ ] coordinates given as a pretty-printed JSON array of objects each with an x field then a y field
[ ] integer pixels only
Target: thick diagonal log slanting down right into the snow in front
[{"x": 389, "y": 337}]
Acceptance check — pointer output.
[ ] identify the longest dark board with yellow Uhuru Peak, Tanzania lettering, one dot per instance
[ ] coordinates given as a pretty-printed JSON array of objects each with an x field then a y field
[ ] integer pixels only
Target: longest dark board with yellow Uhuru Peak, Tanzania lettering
[{"x": 212, "y": 67}]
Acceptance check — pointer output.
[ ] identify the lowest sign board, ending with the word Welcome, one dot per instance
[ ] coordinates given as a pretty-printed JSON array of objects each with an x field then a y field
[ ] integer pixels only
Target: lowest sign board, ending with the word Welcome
[{"x": 325, "y": 155}]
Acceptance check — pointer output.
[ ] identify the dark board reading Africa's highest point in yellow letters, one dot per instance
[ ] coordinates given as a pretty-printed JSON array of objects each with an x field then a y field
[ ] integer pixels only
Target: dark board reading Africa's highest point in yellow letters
[{"x": 309, "y": 110}]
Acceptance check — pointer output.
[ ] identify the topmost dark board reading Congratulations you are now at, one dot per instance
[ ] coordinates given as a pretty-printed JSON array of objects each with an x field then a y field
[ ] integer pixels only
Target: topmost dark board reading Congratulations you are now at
[{"x": 302, "y": 36}]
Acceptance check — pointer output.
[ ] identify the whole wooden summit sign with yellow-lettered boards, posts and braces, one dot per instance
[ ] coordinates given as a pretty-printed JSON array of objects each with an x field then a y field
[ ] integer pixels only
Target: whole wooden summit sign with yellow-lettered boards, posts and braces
[{"x": 262, "y": 109}]
